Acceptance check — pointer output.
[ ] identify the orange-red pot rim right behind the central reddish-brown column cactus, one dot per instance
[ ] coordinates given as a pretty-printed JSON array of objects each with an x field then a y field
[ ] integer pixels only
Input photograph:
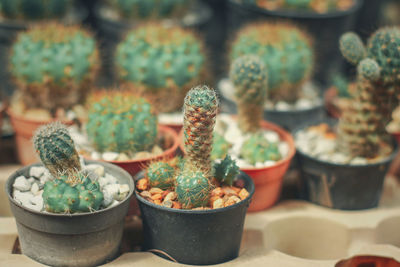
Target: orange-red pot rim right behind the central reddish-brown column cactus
[{"x": 283, "y": 134}]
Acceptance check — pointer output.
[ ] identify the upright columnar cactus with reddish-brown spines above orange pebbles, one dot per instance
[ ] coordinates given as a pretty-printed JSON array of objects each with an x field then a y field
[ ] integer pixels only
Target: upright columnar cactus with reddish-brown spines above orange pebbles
[{"x": 200, "y": 111}]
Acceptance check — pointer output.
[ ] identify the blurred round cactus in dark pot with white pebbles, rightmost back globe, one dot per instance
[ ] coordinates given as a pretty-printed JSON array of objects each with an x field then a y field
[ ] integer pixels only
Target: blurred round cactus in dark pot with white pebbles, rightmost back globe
[{"x": 288, "y": 55}]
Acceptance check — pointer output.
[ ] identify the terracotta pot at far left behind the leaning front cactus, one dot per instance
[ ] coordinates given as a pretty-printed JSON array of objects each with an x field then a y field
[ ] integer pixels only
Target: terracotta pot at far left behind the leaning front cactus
[{"x": 24, "y": 129}]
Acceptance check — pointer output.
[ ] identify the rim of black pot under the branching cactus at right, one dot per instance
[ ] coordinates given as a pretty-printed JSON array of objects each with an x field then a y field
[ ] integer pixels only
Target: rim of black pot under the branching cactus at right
[{"x": 333, "y": 164}]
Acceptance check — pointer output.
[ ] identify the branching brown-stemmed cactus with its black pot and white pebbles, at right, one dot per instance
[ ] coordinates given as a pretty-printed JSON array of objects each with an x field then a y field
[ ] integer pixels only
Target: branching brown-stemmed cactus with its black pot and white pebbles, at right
[{"x": 360, "y": 151}]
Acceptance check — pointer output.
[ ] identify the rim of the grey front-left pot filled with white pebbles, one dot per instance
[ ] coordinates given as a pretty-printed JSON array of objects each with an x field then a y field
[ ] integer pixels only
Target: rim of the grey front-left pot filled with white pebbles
[{"x": 49, "y": 214}]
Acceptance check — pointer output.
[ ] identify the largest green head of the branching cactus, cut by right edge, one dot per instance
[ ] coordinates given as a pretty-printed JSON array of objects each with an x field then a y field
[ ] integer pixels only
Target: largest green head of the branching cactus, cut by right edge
[{"x": 383, "y": 47}]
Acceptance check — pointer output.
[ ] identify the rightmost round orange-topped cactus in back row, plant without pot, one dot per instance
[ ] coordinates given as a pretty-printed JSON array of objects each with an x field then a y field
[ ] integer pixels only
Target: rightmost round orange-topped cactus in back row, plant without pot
[{"x": 286, "y": 52}]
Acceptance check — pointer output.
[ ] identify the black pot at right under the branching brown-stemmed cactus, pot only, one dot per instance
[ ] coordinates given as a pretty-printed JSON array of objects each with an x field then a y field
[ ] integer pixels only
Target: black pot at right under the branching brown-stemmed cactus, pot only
[{"x": 342, "y": 186}]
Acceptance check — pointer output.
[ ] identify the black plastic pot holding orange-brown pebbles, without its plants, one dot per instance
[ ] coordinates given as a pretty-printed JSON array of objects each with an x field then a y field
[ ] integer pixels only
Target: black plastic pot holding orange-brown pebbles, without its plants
[{"x": 198, "y": 237}]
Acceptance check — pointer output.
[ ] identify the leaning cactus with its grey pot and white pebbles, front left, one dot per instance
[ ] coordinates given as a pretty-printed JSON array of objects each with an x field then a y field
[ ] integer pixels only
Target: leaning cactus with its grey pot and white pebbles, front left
[{"x": 66, "y": 207}]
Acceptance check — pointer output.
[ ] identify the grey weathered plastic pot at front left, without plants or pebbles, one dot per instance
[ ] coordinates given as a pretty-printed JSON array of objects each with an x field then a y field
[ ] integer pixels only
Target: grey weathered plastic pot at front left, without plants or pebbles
[{"x": 83, "y": 239}]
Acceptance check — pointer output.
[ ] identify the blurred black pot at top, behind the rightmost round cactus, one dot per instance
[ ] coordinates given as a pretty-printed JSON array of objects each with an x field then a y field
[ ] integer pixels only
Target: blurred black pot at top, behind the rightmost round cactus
[{"x": 325, "y": 28}]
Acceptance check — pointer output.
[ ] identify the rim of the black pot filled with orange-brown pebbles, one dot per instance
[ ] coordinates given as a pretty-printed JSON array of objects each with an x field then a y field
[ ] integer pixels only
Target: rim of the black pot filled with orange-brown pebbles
[{"x": 241, "y": 175}]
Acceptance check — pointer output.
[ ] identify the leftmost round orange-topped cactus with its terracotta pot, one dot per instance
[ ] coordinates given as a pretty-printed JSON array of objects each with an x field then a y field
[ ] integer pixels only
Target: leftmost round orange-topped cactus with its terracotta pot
[{"x": 54, "y": 67}]
